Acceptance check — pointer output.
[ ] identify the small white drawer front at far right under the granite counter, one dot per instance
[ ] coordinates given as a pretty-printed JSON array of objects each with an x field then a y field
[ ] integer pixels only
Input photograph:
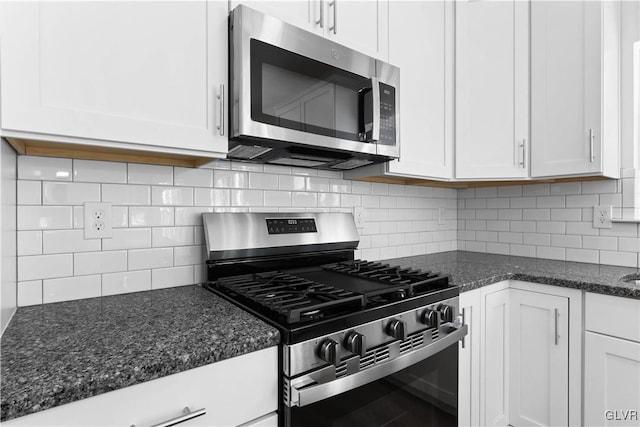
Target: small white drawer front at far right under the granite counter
[{"x": 615, "y": 316}]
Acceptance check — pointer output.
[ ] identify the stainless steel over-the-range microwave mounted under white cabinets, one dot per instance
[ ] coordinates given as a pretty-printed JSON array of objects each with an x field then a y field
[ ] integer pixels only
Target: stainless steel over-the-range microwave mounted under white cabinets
[{"x": 299, "y": 99}]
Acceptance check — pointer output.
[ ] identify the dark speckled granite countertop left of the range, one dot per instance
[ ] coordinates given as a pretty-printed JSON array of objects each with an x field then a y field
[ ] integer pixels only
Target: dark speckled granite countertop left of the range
[{"x": 58, "y": 353}]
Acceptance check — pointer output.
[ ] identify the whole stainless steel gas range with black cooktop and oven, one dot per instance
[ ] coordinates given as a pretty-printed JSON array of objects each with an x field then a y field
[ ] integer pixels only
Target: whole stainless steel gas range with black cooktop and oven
[{"x": 363, "y": 343}]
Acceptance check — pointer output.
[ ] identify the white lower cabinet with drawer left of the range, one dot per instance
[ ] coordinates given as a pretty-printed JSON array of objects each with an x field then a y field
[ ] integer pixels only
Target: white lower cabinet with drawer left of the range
[{"x": 238, "y": 391}]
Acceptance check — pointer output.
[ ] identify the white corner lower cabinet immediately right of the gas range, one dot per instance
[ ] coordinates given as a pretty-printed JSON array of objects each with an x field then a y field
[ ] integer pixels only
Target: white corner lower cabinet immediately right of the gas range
[{"x": 522, "y": 366}]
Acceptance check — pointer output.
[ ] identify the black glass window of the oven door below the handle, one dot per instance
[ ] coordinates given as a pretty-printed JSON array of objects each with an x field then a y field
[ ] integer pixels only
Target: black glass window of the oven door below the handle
[{"x": 424, "y": 394}]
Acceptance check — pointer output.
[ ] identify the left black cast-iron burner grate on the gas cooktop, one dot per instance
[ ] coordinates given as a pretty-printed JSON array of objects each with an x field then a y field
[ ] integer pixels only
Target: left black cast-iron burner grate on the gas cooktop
[{"x": 294, "y": 298}]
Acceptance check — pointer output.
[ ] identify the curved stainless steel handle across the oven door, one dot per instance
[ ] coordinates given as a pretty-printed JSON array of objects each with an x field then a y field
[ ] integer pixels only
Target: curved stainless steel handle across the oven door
[{"x": 307, "y": 395}]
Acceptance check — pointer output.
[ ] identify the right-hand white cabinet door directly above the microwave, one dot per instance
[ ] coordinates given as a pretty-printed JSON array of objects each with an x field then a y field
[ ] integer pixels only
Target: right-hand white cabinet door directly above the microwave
[{"x": 360, "y": 25}]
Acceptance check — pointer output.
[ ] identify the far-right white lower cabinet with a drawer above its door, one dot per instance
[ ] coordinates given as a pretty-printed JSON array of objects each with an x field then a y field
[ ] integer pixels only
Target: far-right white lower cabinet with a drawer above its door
[{"x": 612, "y": 361}]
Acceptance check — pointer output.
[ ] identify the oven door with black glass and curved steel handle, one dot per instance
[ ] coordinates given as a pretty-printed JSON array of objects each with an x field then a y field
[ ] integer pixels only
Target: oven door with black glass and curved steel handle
[{"x": 422, "y": 392}]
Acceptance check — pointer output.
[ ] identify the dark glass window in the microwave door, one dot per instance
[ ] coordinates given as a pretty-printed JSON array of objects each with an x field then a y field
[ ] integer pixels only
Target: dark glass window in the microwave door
[{"x": 295, "y": 92}]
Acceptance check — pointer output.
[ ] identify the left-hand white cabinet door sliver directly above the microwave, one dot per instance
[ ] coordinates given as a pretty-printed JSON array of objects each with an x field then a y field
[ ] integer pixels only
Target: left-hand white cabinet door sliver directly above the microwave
[{"x": 300, "y": 13}]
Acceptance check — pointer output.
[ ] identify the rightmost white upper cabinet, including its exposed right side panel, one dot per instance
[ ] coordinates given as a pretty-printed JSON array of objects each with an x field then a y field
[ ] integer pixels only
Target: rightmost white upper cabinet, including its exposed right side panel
[{"x": 574, "y": 88}]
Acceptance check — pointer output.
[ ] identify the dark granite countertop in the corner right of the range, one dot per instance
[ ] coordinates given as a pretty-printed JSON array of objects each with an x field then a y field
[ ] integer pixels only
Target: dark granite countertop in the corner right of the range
[{"x": 471, "y": 270}]
